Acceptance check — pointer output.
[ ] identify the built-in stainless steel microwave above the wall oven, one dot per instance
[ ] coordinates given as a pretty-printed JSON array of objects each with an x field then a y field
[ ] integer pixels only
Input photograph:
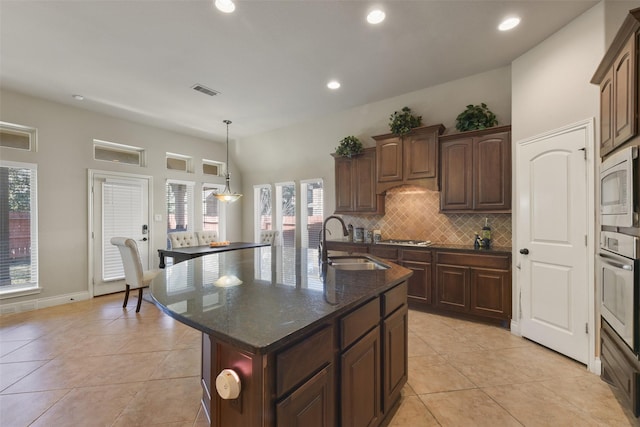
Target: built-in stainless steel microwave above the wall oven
[{"x": 618, "y": 195}]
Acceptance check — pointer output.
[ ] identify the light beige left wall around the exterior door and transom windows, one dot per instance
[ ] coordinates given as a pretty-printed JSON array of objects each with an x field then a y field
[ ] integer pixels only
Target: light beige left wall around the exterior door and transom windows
[{"x": 65, "y": 153}]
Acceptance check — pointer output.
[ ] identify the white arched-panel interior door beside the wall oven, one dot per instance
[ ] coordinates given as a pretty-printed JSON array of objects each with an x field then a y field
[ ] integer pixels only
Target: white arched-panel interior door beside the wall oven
[{"x": 552, "y": 241}]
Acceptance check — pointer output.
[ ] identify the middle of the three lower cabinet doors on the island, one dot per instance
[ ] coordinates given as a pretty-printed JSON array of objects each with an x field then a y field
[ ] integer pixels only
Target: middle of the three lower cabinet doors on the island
[{"x": 360, "y": 388}]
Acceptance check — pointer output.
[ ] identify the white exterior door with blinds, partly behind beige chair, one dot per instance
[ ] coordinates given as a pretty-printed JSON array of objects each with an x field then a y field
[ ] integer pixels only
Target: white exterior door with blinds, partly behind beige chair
[{"x": 120, "y": 207}]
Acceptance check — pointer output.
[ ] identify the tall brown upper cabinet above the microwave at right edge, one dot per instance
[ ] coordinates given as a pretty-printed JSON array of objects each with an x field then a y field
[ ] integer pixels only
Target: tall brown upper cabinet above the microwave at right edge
[{"x": 617, "y": 75}]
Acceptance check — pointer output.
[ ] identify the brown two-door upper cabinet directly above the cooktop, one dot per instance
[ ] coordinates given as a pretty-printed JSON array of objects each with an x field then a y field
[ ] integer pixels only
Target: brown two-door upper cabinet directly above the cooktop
[{"x": 409, "y": 159}]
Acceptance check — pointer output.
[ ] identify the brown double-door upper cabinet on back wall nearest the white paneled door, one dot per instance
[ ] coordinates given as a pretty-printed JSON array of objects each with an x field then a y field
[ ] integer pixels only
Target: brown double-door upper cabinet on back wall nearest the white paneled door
[{"x": 476, "y": 171}]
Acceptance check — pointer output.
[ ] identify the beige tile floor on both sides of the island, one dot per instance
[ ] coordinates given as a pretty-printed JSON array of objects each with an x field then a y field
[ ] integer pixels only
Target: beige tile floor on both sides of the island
[{"x": 92, "y": 363}]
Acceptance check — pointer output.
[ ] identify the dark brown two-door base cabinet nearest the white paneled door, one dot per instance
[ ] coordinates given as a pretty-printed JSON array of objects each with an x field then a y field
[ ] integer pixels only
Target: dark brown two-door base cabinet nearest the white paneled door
[{"x": 475, "y": 284}]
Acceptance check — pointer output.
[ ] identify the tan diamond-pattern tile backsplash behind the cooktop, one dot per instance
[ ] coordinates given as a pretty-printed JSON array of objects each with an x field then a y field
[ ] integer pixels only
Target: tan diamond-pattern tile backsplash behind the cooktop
[{"x": 413, "y": 213}]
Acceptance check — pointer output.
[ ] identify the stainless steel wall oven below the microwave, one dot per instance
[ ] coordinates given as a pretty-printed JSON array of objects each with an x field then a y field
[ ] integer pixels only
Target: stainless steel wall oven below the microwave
[{"x": 618, "y": 266}]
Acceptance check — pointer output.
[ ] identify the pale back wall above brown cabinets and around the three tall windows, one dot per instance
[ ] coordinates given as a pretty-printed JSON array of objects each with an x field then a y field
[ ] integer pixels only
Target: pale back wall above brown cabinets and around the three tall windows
[{"x": 303, "y": 151}]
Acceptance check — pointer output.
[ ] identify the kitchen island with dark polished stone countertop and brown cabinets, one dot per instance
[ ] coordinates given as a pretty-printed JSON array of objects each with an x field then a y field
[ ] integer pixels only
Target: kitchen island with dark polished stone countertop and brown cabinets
[{"x": 308, "y": 348}]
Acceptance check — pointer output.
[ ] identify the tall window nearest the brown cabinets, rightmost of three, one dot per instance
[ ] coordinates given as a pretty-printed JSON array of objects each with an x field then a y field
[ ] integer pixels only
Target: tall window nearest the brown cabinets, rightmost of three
[{"x": 312, "y": 215}]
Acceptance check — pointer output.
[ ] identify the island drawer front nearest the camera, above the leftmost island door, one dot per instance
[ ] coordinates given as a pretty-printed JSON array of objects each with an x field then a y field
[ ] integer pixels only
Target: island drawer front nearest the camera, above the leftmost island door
[{"x": 296, "y": 364}]
